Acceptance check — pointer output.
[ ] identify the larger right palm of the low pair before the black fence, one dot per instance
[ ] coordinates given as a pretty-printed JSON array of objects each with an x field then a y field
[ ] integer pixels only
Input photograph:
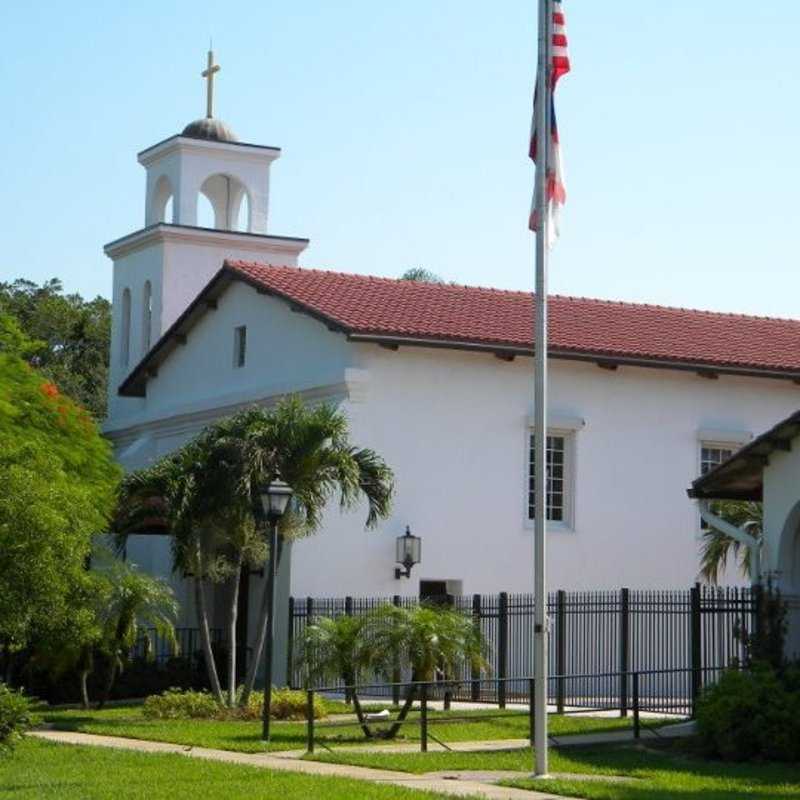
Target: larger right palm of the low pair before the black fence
[{"x": 429, "y": 639}]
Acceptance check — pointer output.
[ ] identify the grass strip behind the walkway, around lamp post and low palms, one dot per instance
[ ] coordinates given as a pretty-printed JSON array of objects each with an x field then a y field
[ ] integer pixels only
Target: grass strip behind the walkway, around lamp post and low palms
[{"x": 129, "y": 722}]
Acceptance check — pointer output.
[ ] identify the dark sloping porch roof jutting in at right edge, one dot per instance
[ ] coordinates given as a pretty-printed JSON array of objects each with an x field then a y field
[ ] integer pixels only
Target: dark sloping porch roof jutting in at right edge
[{"x": 741, "y": 477}]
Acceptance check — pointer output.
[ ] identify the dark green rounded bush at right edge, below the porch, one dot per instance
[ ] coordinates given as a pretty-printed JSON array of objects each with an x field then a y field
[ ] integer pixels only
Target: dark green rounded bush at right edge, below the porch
[{"x": 753, "y": 714}]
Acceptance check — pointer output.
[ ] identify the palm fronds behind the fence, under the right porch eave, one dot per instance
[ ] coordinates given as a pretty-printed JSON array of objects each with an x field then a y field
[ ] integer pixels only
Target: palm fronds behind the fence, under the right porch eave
[{"x": 717, "y": 547}]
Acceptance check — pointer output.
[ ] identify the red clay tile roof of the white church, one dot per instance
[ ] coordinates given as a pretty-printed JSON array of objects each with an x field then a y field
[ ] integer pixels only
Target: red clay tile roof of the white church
[{"x": 385, "y": 307}]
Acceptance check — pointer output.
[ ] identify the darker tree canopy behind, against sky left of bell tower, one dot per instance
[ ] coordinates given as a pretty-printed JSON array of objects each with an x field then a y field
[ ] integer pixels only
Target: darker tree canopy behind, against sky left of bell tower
[{"x": 69, "y": 337}]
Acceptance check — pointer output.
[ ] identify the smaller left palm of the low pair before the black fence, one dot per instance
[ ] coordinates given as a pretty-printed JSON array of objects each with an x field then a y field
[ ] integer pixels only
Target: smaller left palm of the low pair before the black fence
[{"x": 337, "y": 649}]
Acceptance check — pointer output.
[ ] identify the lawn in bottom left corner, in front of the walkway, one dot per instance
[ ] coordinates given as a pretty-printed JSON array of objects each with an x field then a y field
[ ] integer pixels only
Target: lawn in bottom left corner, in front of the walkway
[{"x": 45, "y": 771}]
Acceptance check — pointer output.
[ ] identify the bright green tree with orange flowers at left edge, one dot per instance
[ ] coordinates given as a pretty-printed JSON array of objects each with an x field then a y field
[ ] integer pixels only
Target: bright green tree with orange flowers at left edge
[{"x": 58, "y": 485}]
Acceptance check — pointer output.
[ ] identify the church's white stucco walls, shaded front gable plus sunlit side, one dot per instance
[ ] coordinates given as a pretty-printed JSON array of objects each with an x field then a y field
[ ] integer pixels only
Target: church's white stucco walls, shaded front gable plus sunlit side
[{"x": 454, "y": 427}]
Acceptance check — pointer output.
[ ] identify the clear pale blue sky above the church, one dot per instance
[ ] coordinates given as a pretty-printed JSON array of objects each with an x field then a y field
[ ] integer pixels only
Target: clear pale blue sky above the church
[{"x": 404, "y": 132}]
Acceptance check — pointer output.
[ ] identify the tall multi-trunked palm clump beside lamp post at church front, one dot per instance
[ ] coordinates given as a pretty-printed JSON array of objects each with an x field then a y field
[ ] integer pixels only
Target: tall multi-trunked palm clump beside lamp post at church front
[{"x": 207, "y": 495}]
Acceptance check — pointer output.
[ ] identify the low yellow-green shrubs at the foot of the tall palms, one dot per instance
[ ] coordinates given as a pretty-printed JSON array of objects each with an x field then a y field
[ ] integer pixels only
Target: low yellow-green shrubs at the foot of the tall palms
[{"x": 179, "y": 704}]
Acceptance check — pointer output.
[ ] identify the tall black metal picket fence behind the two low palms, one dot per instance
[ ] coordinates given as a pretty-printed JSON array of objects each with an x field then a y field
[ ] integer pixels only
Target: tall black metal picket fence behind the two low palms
[{"x": 684, "y": 638}]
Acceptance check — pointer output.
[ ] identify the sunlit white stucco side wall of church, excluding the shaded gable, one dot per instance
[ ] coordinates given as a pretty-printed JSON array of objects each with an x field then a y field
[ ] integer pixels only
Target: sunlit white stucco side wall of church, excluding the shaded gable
[{"x": 454, "y": 427}]
